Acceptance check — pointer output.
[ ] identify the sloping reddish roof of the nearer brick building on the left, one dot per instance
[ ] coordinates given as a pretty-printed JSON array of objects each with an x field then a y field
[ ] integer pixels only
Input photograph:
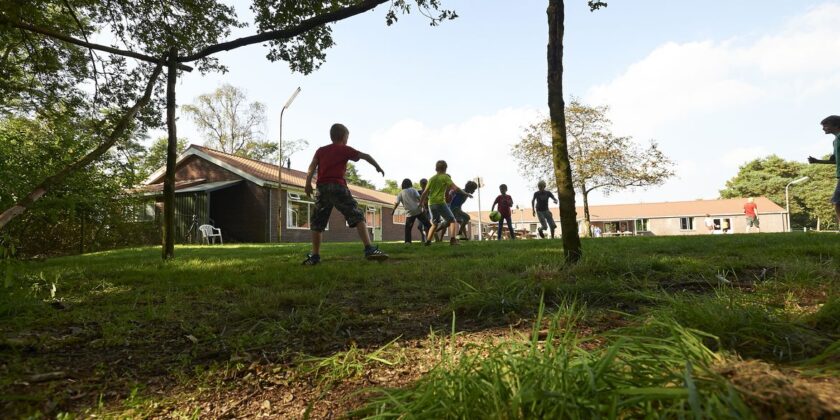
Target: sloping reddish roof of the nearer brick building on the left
[{"x": 264, "y": 173}]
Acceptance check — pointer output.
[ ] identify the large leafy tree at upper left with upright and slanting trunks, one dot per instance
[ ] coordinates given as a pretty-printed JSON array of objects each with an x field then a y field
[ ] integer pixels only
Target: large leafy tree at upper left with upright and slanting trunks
[{"x": 159, "y": 34}]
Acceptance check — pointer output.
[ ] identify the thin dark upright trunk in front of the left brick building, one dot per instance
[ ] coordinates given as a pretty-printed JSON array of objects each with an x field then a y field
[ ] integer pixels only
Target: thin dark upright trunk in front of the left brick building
[{"x": 171, "y": 152}]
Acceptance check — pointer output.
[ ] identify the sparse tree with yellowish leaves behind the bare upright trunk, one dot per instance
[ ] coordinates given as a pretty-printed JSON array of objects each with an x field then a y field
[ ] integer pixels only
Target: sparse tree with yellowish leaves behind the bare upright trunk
[{"x": 599, "y": 159}]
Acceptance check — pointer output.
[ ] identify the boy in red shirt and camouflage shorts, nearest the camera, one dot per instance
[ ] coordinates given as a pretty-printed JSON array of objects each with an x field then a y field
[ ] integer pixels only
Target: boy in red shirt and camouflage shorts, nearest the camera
[{"x": 331, "y": 164}]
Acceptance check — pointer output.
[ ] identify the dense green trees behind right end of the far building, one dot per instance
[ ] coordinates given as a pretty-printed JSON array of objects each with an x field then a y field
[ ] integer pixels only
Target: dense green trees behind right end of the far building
[{"x": 768, "y": 176}]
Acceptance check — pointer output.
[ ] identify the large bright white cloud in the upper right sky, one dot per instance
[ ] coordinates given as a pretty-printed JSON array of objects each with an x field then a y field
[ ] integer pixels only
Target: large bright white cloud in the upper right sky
[{"x": 675, "y": 82}]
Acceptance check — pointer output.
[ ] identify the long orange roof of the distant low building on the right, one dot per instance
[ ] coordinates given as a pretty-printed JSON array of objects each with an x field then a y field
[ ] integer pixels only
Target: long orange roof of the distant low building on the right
[{"x": 694, "y": 208}]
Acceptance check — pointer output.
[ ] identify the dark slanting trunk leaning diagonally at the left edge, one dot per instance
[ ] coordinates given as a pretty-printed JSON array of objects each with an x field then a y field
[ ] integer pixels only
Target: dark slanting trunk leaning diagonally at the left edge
[{"x": 47, "y": 184}]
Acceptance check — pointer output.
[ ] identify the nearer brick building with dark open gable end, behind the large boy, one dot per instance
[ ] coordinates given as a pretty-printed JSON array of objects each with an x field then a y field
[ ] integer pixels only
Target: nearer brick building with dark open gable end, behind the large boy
[{"x": 241, "y": 196}]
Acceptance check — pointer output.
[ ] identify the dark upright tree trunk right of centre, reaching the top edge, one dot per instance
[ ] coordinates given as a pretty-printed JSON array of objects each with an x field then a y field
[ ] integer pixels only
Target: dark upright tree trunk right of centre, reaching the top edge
[{"x": 559, "y": 149}]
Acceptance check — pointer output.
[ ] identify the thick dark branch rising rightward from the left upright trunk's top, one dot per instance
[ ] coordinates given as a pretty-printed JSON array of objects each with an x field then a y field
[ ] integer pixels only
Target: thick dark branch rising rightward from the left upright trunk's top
[{"x": 301, "y": 28}]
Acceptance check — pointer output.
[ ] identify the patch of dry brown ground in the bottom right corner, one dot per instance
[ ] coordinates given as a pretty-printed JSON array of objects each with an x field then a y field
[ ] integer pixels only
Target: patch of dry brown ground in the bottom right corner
[{"x": 783, "y": 394}]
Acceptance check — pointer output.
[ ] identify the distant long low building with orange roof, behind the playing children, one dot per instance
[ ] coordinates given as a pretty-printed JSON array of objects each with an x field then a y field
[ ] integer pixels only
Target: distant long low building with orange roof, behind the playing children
[{"x": 655, "y": 219}]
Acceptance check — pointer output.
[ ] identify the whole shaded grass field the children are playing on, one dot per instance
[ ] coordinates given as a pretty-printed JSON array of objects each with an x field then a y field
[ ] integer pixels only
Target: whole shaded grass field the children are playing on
[{"x": 717, "y": 326}]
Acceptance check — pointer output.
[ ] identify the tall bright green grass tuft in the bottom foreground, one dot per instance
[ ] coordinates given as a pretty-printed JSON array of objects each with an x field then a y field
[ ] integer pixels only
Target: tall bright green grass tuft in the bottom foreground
[{"x": 556, "y": 377}]
